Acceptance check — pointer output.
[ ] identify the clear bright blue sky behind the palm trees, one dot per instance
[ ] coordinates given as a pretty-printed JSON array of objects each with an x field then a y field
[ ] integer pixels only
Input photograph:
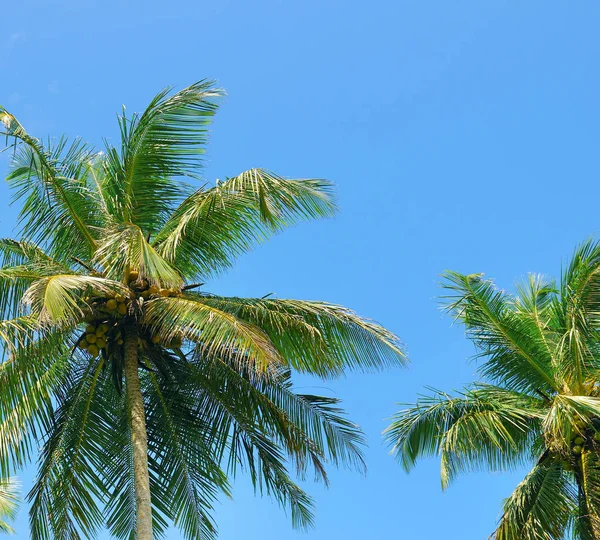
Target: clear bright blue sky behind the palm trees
[{"x": 462, "y": 135}]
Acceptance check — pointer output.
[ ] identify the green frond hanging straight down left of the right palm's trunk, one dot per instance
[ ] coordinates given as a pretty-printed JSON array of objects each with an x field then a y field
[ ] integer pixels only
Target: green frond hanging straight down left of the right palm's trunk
[{"x": 541, "y": 506}]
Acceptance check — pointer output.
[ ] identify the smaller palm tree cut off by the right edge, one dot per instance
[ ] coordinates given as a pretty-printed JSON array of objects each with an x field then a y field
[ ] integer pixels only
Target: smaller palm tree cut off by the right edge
[{"x": 538, "y": 401}]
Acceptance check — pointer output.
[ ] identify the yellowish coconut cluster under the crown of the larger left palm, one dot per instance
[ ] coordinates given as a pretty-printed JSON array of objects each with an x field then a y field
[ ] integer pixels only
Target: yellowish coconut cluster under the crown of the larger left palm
[{"x": 102, "y": 330}]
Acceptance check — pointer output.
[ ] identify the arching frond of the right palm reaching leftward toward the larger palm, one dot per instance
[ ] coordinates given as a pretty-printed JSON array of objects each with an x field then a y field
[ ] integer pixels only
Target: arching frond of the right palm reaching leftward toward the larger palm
[{"x": 484, "y": 427}]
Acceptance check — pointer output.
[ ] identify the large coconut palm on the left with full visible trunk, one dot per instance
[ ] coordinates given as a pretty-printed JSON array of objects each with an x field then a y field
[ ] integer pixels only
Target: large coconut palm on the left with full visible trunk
[{"x": 147, "y": 392}]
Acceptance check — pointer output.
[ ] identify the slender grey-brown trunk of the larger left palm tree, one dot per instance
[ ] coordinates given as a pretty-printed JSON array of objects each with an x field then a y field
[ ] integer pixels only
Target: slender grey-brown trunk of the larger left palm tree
[{"x": 139, "y": 436}]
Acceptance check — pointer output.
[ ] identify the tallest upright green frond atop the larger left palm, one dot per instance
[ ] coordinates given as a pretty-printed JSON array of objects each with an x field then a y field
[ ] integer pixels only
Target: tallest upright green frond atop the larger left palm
[{"x": 141, "y": 183}]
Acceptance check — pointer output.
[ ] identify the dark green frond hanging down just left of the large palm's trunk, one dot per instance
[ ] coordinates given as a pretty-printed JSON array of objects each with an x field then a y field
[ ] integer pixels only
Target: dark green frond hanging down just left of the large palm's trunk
[{"x": 65, "y": 496}]
